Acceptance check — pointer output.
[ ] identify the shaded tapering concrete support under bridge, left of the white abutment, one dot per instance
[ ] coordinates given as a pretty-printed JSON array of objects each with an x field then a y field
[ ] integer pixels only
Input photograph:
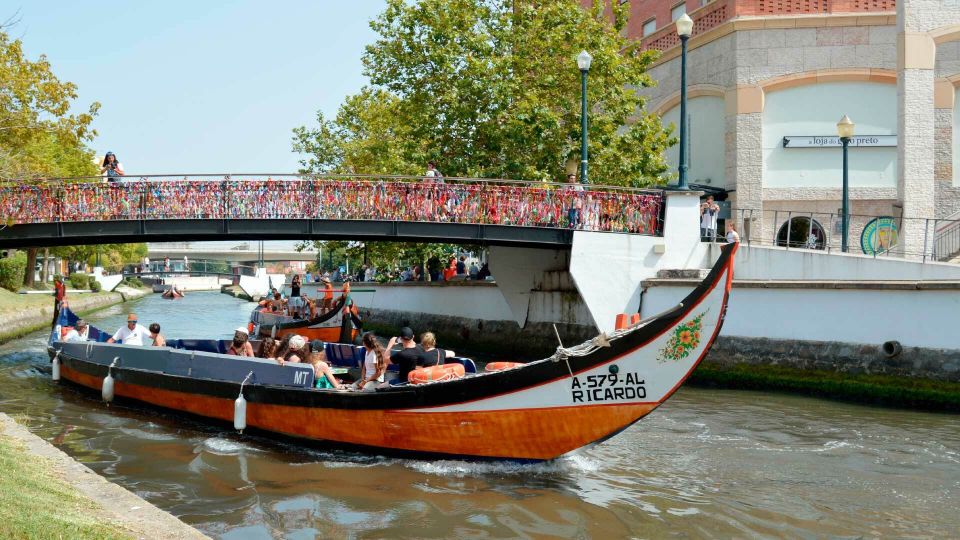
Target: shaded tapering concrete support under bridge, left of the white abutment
[{"x": 518, "y": 271}]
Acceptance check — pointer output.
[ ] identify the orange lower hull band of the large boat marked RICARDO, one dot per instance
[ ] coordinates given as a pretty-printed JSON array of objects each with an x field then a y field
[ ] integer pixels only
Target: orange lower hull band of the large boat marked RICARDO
[{"x": 524, "y": 434}]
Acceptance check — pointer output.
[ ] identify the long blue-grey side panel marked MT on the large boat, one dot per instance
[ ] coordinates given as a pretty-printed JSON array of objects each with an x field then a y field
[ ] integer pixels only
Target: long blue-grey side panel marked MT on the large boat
[{"x": 193, "y": 363}]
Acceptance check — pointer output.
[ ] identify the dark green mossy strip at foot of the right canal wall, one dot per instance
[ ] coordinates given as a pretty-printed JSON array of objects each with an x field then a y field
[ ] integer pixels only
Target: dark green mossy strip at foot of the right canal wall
[{"x": 885, "y": 390}]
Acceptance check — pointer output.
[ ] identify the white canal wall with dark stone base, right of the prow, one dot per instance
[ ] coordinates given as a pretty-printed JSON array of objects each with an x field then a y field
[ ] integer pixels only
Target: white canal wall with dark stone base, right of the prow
[{"x": 840, "y": 326}]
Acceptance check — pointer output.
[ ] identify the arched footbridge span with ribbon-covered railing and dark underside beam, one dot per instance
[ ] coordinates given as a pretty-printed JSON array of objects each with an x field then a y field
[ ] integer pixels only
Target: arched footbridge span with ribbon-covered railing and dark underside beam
[{"x": 299, "y": 207}]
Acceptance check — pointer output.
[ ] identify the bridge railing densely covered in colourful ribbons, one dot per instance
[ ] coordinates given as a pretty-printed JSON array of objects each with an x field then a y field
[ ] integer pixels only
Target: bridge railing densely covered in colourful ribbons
[{"x": 390, "y": 198}]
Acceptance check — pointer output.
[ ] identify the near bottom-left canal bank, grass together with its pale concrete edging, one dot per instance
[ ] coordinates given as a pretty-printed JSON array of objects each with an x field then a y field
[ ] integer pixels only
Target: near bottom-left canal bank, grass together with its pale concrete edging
[{"x": 74, "y": 492}]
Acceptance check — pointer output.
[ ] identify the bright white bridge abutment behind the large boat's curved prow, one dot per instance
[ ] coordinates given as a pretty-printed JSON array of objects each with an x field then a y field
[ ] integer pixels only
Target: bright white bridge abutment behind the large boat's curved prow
[{"x": 608, "y": 268}]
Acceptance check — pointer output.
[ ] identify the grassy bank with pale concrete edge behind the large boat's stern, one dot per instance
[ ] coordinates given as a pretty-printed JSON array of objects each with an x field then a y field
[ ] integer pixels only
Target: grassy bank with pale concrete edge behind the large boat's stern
[{"x": 16, "y": 321}]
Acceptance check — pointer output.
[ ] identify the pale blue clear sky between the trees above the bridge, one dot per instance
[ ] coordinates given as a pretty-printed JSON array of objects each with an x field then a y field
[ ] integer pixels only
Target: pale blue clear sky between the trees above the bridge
[{"x": 201, "y": 87}]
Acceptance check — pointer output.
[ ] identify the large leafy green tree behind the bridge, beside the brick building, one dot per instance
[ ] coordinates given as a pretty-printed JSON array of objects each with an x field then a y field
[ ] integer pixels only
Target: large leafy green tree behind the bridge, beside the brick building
[{"x": 489, "y": 88}]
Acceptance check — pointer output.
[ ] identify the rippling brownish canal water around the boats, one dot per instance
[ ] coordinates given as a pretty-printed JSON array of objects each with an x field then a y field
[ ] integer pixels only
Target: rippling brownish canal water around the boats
[{"x": 709, "y": 463}]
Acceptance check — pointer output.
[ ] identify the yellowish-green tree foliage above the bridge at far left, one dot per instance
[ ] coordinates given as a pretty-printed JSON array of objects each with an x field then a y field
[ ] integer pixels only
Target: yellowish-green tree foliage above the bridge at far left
[{"x": 38, "y": 135}]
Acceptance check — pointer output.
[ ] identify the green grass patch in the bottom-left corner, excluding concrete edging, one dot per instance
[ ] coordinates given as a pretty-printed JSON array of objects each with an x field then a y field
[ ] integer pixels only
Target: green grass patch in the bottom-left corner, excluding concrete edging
[{"x": 35, "y": 503}]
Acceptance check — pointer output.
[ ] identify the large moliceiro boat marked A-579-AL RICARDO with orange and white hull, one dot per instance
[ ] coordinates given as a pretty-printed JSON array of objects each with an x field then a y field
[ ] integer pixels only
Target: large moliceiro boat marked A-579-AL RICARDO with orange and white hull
[{"x": 530, "y": 412}]
